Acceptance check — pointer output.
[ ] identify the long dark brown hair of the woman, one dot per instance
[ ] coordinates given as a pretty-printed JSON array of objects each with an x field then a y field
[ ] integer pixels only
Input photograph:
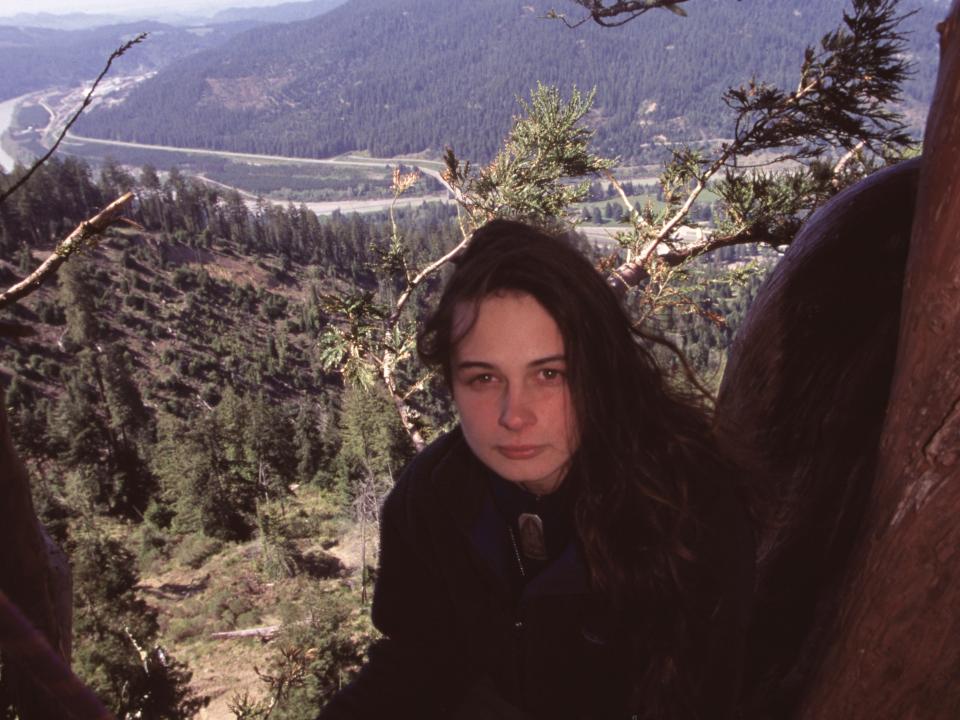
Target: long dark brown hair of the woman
[{"x": 642, "y": 444}]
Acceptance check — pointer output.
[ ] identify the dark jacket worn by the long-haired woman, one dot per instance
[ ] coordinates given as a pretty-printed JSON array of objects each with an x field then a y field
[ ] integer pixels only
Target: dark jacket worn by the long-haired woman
[{"x": 457, "y": 645}]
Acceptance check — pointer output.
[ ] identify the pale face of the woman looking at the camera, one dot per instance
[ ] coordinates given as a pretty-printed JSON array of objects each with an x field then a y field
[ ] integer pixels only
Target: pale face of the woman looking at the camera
[{"x": 510, "y": 386}]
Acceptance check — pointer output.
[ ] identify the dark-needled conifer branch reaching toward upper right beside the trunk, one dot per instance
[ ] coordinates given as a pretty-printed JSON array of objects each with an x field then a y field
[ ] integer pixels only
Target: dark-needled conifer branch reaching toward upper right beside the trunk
[{"x": 840, "y": 103}]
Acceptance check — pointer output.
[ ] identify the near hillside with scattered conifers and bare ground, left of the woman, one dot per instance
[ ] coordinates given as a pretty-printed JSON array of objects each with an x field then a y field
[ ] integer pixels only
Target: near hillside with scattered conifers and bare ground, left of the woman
[{"x": 172, "y": 397}]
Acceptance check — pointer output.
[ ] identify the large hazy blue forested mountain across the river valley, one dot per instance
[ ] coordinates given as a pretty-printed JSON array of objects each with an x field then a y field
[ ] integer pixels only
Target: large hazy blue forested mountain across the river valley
[{"x": 402, "y": 76}]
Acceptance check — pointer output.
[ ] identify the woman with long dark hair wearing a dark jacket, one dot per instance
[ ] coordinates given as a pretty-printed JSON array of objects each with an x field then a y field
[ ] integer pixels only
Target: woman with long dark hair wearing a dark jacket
[{"x": 575, "y": 548}]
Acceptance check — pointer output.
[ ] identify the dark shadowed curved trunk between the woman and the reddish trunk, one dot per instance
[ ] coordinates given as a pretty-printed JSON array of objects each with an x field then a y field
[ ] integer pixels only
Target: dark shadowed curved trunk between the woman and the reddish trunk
[{"x": 803, "y": 401}]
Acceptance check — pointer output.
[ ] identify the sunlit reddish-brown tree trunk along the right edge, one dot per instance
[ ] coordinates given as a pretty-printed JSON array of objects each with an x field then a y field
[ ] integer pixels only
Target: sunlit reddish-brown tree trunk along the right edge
[{"x": 897, "y": 649}]
